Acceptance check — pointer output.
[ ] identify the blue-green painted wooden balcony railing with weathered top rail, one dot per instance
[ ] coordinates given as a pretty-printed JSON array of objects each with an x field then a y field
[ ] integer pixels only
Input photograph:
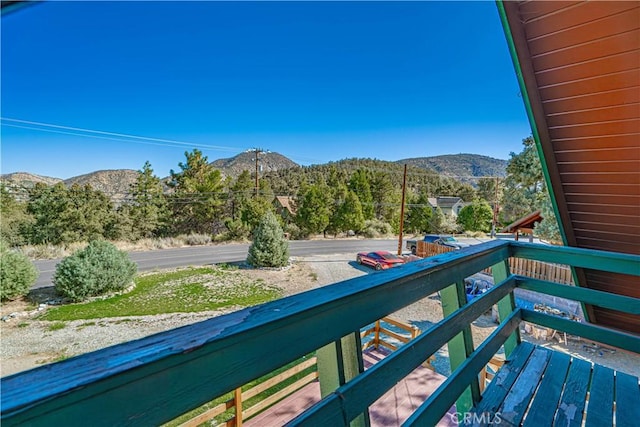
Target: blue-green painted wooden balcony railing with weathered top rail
[{"x": 155, "y": 379}]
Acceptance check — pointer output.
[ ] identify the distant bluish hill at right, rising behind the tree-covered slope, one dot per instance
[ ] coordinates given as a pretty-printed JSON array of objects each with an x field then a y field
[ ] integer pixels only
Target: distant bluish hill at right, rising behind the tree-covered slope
[{"x": 461, "y": 166}]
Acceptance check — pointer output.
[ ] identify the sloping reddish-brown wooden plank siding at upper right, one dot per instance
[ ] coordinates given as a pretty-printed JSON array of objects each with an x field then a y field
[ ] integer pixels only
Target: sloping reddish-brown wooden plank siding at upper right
[{"x": 580, "y": 65}]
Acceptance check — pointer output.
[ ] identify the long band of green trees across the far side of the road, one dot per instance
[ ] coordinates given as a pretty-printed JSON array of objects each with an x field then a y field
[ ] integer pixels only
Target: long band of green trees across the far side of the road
[{"x": 356, "y": 195}]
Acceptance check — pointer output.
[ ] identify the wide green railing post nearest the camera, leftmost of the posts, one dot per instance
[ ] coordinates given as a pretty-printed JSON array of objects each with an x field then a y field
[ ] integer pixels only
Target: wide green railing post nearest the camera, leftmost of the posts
[{"x": 338, "y": 363}]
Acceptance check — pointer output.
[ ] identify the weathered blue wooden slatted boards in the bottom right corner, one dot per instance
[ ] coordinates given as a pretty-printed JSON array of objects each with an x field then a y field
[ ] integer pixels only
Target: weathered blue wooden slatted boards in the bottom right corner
[{"x": 565, "y": 391}]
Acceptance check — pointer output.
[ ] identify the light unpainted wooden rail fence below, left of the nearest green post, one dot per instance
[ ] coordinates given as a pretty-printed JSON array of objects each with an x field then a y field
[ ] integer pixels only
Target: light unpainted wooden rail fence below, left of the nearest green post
[{"x": 239, "y": 397}]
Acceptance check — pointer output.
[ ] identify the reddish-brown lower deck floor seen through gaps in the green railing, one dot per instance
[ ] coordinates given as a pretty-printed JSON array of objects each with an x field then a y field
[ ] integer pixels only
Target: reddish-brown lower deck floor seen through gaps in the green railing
[{"x": 390, "y": 410}]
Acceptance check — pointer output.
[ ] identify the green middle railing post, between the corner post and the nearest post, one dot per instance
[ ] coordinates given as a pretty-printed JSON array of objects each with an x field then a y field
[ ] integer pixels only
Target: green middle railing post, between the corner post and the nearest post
[{"x": 461, "y": 346}]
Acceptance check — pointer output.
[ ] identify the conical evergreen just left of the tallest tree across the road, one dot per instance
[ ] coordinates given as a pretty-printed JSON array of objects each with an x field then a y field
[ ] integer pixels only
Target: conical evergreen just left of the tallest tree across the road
[{"x": 149, "y": 209}]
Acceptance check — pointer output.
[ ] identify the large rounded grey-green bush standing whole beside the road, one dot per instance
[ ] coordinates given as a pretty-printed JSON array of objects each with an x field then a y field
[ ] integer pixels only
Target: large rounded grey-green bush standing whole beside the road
[{"x": 98, "y": 269}]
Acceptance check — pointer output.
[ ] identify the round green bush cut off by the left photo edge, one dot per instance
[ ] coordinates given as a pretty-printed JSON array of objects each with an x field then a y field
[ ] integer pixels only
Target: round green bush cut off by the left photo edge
[{"x": 17, "y": 274}]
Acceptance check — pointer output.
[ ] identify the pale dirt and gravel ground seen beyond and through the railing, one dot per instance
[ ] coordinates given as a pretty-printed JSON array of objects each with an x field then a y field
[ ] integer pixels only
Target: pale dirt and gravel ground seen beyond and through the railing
[{"x": 28, "y": 342}]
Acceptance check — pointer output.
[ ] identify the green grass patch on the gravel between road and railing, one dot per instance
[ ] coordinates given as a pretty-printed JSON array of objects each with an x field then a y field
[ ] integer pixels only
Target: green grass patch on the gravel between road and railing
[{"x": 183, "y": 291}]
